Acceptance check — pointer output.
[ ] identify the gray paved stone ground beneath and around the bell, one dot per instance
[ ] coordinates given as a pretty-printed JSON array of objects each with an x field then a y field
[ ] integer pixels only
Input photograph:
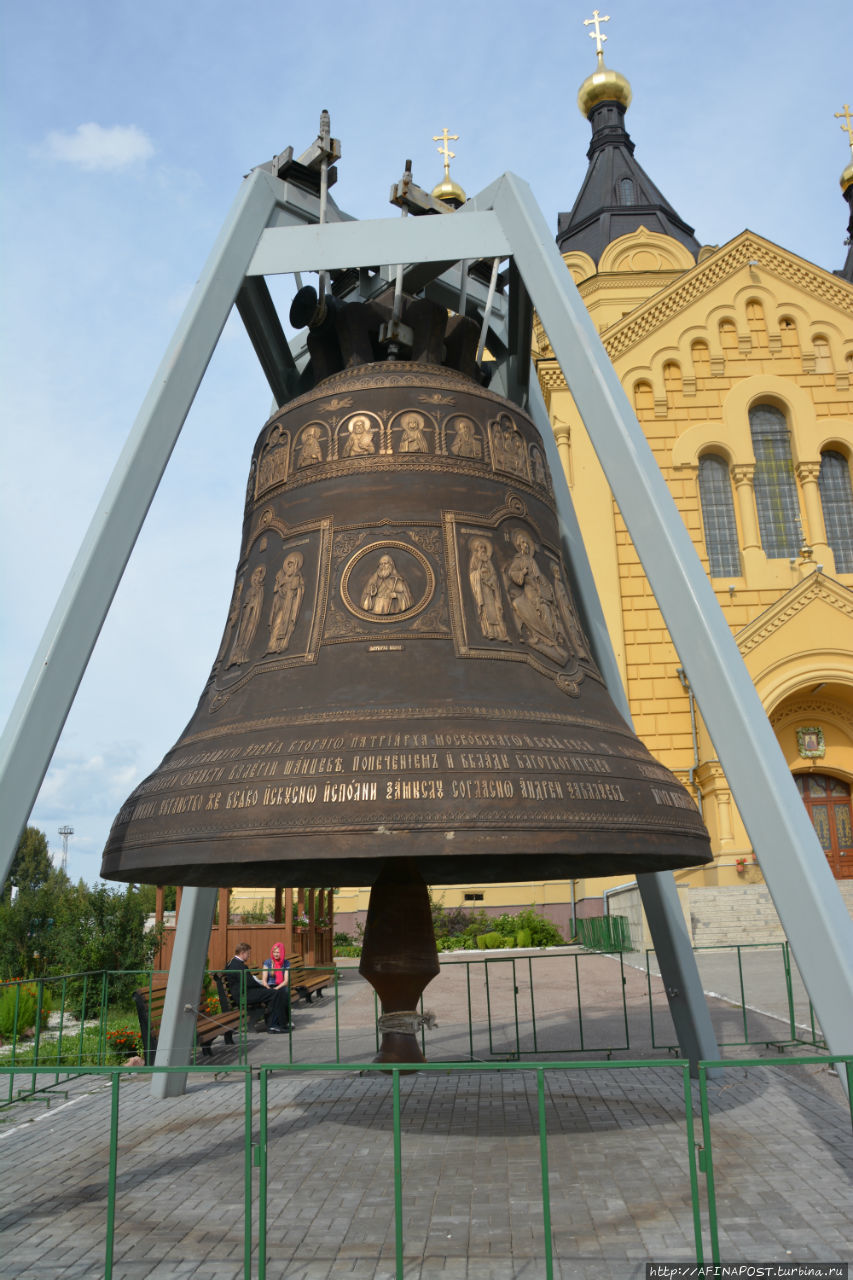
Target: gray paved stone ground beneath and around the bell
[{"x": 472, "y": 1187}]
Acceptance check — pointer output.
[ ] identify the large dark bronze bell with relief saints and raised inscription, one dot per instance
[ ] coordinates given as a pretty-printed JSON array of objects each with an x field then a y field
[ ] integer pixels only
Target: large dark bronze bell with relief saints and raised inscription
[{"x": 403, "y": 674}]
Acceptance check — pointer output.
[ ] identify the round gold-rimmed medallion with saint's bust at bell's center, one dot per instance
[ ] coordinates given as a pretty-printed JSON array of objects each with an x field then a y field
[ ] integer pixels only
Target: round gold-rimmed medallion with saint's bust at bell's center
[{"x": 386, "y": 595}]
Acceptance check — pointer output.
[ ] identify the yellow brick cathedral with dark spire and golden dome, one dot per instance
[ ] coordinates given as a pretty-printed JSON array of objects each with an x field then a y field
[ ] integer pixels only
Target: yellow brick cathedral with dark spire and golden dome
[{"x": 738, "y": 360}]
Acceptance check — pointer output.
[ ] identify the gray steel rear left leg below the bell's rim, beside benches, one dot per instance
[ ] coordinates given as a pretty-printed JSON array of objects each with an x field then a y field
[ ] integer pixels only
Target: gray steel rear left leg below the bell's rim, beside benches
[{"x": 184, "y": 990}]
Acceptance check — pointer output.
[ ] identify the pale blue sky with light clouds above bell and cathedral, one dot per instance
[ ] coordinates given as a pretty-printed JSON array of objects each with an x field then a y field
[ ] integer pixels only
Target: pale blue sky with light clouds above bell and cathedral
[{"x": 126, "y": 132}]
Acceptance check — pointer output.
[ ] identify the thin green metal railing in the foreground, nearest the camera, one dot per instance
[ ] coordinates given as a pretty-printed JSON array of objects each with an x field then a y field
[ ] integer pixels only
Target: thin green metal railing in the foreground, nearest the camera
[{"x": 703, "y": 1171}]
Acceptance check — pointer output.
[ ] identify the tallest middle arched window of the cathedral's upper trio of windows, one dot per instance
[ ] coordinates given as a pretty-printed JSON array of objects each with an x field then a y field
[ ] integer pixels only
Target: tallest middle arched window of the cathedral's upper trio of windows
[{"x": 777, "y": 500}]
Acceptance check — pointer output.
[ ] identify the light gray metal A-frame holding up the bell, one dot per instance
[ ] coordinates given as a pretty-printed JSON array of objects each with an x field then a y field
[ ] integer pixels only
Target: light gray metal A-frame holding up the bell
[{"x": 261, "y": 239}]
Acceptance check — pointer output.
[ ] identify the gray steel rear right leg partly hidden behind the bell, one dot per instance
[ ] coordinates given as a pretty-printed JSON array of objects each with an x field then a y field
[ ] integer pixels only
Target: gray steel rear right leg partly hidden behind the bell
[{"x": 673, "y": 948}]
